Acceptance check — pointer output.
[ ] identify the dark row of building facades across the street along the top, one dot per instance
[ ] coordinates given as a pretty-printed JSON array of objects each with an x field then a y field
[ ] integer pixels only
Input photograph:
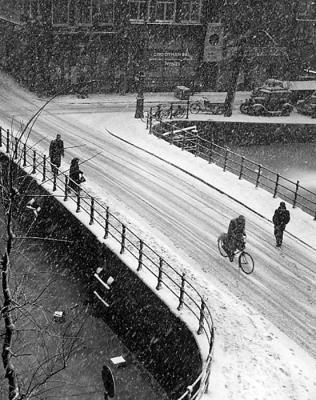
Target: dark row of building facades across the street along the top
[{"x": 168, "y": 42}]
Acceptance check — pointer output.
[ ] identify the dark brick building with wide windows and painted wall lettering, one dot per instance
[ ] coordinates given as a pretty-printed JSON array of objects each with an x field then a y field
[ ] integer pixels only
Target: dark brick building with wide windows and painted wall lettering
[{"x": 112, "y": 42}]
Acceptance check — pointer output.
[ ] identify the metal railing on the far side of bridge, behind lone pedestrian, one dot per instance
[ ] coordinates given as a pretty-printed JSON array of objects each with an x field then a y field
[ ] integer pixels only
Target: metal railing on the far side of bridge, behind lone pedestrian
[{"x": 261, "y": 176}]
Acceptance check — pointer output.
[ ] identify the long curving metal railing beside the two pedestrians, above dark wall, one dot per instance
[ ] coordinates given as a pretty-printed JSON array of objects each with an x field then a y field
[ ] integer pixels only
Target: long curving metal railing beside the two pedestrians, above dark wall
[{"x": 167, "y": 277}]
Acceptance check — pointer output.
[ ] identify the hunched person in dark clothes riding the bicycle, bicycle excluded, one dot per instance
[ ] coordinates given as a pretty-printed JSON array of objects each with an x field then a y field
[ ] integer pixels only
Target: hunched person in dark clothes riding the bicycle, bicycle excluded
[{"x": 235, "y": 236}]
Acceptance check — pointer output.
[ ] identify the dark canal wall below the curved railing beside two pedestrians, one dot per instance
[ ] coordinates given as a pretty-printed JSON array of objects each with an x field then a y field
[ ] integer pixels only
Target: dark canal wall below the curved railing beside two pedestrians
[{"x": 159, "y": 340}]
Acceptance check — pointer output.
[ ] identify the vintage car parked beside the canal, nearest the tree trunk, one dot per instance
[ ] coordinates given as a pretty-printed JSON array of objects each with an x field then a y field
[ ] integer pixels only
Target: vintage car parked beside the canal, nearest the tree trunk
[{"x": 272, "y": 99}]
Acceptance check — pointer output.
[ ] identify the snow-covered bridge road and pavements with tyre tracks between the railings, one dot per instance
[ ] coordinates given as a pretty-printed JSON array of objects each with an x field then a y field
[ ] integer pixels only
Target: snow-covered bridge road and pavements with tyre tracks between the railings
[{"x": 265, "y": 323}]
